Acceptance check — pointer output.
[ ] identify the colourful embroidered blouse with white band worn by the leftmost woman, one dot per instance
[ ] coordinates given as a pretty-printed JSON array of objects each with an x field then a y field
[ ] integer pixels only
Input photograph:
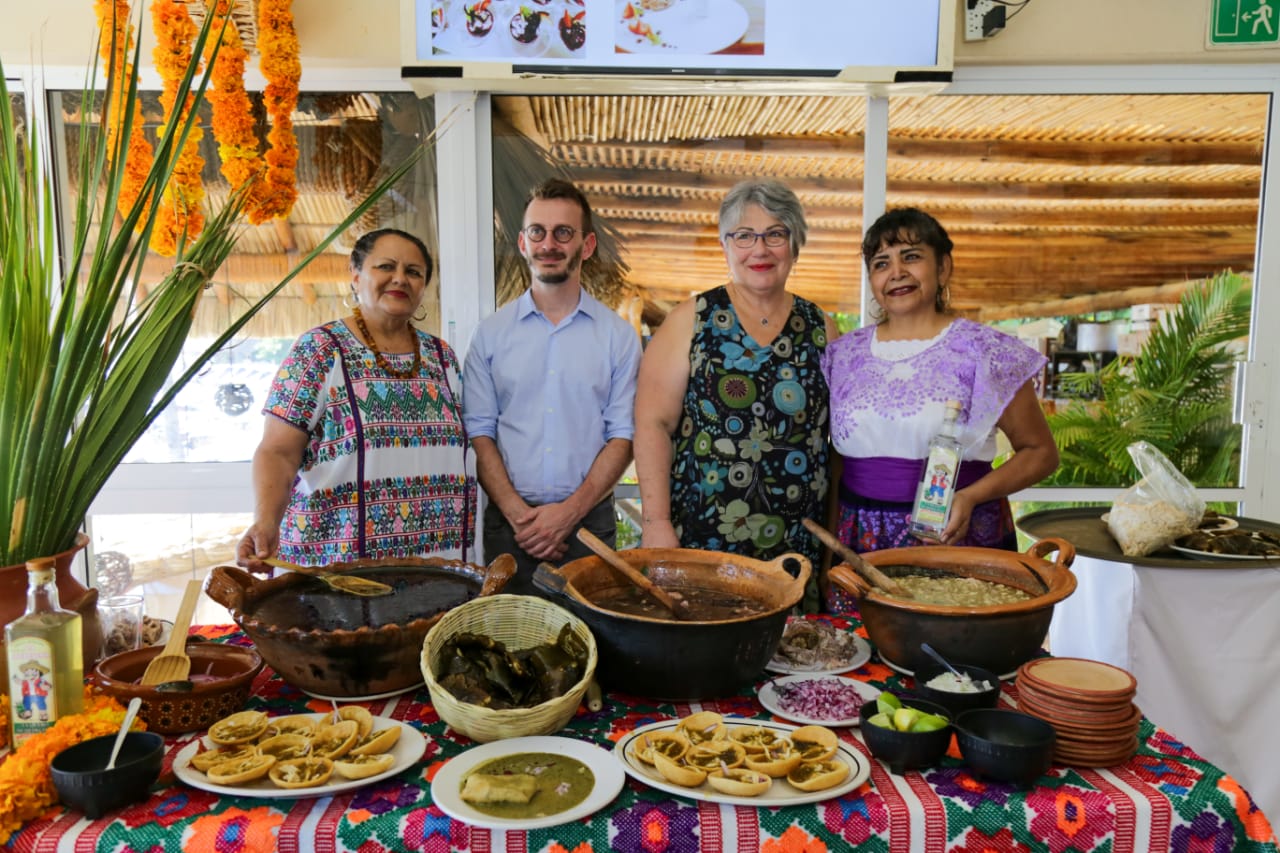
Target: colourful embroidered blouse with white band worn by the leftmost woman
[{"x": 419, "y": 495}]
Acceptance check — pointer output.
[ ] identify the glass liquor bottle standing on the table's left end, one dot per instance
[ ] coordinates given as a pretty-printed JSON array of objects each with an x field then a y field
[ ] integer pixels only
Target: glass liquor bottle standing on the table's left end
[{"x": 47, "y": 670}]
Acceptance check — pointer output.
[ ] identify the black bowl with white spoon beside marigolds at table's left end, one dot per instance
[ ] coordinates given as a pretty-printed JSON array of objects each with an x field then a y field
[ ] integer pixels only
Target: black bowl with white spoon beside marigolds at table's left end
[{"x": 84, "y": 783}]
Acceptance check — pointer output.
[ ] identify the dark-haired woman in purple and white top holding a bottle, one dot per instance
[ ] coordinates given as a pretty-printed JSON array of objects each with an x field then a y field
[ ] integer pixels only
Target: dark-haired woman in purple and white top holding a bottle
[{"x": 890, "y": 384}]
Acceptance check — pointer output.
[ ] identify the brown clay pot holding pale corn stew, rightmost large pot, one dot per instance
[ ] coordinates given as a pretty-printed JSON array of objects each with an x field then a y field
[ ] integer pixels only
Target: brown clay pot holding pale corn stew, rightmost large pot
[{"x": 995, "y": 637}]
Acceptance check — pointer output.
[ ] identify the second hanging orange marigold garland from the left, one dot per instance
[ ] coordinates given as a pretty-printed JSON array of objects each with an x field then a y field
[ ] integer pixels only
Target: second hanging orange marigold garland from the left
[{"x": 181, "y": 216}]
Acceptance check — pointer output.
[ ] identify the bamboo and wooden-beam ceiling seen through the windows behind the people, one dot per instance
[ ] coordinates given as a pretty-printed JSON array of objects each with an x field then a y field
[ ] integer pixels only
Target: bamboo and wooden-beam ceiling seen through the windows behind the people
[{"x": 1057, "y": 204}]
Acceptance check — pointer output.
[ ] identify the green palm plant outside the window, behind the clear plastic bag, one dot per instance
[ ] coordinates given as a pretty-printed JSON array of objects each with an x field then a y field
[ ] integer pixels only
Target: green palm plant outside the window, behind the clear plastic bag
[{"x": 1177, "y": 395}]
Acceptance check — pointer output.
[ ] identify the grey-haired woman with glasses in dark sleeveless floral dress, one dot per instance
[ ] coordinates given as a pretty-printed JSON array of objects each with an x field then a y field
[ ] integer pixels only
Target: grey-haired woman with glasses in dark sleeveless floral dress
[{"x": 732, "y": 407}]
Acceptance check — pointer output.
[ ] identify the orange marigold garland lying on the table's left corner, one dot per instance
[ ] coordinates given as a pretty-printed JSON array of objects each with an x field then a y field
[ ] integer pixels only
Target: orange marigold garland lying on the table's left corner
[{"x": 26, "y": 784}]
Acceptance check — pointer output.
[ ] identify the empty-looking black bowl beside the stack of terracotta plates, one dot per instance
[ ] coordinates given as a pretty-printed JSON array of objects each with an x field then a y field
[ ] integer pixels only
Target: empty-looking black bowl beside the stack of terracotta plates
[{"x": 1007, "y": 746}]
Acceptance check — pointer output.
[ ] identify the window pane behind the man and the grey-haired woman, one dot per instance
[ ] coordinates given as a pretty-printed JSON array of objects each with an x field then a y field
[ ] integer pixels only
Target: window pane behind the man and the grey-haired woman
[{"x": 656, "y": 171}]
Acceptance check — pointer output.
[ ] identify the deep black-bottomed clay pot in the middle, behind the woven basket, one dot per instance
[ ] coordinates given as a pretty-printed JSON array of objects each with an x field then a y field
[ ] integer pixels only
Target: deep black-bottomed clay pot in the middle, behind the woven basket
[{"x": 683, "y": 660}]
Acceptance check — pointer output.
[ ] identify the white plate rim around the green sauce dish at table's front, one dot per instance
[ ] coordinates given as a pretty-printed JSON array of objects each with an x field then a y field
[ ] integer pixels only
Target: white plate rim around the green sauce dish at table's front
[{"x": 449, "y": 782}]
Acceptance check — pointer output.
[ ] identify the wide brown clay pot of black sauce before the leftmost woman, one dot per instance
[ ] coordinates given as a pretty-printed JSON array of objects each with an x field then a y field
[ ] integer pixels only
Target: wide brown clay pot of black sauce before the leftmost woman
[{"x": 331, "y": 644}]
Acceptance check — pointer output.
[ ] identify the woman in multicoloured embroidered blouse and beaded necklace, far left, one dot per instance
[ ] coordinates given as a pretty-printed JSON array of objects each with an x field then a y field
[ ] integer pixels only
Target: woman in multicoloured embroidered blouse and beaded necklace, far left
[{"x": 364, "y": 451}]
